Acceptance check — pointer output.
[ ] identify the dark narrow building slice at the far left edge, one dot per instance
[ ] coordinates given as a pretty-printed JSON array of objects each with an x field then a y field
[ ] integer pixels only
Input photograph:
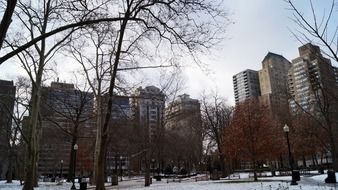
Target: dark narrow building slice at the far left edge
[{"x": 7, "y": 99}]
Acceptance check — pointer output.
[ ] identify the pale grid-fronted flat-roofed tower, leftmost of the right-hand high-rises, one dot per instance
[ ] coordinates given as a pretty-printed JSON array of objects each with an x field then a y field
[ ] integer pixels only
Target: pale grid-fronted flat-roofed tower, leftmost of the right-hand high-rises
[{"x": 246, "y": 85}]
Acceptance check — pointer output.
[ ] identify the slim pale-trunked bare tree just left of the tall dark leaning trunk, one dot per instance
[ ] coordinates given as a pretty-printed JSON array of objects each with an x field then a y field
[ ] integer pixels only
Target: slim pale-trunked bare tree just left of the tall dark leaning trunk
[{"x": 97, "y": 68}]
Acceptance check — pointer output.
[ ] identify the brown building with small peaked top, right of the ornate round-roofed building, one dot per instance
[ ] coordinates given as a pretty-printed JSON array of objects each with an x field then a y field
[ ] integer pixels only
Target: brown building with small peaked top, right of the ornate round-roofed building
[{"x": 183, "y": 122}]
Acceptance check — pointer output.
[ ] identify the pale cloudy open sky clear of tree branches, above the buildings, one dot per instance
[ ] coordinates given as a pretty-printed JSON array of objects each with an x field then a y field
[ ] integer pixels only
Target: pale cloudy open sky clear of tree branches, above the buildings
[{"x": 259, "y": 27}]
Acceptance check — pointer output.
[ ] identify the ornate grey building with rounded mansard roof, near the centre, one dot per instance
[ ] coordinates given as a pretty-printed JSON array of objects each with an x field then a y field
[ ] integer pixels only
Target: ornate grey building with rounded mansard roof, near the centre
[{"x": 148, "y": 104}]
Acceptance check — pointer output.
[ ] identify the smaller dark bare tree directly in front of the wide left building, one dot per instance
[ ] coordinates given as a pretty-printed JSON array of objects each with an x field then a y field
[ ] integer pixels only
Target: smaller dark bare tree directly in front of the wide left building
[{"x": 68, "y": 112}]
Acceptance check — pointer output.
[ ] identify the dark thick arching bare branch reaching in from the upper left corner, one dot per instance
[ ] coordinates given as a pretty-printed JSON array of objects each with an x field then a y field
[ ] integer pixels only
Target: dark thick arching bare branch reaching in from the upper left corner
[{"x": 80, "y": 14}]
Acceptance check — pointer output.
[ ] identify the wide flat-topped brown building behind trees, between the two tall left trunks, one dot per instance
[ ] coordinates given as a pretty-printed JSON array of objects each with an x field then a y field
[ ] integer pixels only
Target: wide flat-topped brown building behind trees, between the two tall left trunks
[{"x": 62, "y": 108}]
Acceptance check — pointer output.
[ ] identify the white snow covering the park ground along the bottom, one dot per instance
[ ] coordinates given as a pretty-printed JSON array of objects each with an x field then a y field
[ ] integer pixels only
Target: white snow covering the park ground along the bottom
[{"x": 267, "y": 183}]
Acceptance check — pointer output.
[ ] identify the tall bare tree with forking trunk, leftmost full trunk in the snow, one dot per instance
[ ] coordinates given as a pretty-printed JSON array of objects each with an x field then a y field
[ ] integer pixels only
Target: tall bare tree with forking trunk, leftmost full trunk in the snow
[{"x": 34, "y": 61}]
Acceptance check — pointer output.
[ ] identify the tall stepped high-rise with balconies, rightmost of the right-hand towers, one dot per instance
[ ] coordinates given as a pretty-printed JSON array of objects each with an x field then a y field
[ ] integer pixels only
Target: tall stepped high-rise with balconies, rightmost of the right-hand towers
[{"x": 310, "y": 75}]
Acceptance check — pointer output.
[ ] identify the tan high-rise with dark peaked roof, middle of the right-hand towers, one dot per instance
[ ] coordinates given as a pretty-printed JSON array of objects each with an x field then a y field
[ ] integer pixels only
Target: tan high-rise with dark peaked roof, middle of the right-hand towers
[{"x": 273, "y": 83}]
